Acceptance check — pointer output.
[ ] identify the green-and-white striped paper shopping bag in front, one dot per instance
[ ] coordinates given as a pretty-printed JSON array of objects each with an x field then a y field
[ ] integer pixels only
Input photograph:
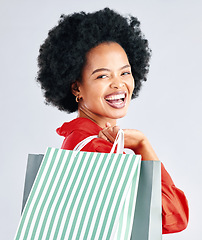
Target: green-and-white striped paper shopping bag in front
[{"x": 82, "y": 195}]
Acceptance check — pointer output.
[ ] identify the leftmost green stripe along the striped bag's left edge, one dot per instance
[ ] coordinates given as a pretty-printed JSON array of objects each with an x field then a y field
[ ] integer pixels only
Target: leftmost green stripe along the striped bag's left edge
[{"x": 40, "y": 172}]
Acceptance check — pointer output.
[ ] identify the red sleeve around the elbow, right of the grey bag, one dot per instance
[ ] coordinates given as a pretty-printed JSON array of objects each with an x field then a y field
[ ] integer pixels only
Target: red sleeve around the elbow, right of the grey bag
[{"x": 175, "y": 212}]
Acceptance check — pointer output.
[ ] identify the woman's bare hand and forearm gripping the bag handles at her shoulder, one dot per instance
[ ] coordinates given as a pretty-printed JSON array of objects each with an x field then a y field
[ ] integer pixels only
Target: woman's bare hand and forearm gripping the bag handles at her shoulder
[{"x": 133, "y": 139}]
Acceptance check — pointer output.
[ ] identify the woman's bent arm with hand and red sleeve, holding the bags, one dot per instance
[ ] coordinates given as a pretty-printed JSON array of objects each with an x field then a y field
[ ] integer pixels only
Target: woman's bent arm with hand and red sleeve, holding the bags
[{"x": 175, "y": 211}]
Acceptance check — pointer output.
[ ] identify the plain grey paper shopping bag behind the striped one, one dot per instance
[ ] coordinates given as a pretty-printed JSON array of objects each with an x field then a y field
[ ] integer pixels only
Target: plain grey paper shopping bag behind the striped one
[{"x": 147, "y": 223}]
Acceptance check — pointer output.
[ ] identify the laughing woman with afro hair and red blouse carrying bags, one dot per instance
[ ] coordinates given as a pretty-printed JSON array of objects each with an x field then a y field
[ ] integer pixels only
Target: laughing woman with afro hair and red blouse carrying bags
[{"x": 95, "y": 64}]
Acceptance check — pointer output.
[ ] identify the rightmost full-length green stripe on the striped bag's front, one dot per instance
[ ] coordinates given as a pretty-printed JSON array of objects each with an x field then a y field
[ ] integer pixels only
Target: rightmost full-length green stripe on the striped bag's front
[{"x": 119, "y": 199}]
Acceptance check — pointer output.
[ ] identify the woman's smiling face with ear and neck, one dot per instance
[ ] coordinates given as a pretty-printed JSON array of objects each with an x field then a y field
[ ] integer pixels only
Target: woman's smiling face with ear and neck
[{"x": 107, "y": 84}]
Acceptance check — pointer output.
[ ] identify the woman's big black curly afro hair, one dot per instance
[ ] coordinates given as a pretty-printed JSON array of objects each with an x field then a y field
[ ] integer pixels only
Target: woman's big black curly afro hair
[{"x": 63, "y": 54}]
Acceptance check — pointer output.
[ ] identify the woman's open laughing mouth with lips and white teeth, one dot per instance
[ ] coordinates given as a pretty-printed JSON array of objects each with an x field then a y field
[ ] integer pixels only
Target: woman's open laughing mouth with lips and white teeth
[{"x": 117, "y": 99}]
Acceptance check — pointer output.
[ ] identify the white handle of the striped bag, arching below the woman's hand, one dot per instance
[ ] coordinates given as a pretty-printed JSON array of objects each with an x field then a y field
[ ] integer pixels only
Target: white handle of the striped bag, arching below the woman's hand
[{"x": 119, "y": 142}]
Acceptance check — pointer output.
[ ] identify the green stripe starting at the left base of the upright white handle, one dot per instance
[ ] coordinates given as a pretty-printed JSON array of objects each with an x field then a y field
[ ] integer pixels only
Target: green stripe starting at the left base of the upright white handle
[{"x": 98, "y": 195}]
